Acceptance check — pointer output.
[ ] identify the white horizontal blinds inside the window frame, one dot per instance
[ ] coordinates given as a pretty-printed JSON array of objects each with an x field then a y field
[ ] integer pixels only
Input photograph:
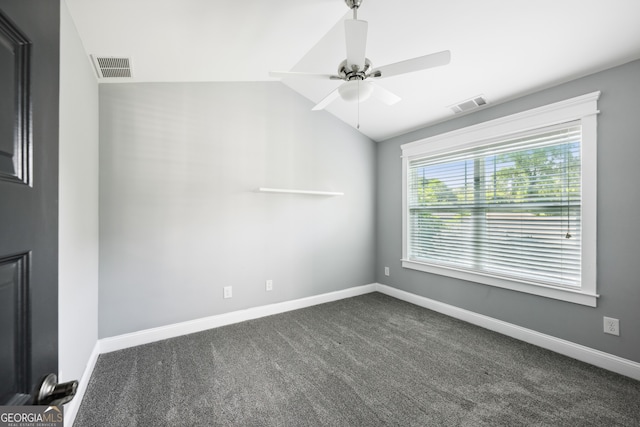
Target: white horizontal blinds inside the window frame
[{"x": 509, "y": 209}]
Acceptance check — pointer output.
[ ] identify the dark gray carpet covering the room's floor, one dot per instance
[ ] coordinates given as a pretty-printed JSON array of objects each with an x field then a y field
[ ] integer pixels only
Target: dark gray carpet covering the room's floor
[{"x": 365, "y": 361}]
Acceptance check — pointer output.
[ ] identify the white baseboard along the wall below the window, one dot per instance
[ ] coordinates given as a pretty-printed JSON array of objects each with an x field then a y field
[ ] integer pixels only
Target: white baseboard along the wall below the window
[{"x": 589, "y": 355}]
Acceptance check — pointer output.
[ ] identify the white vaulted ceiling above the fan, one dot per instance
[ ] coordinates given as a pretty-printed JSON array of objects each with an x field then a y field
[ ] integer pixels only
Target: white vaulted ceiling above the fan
[{"x": 501, "y": 49}]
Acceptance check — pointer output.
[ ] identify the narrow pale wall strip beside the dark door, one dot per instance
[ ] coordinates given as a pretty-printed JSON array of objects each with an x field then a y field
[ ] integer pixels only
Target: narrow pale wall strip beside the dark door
[{"x": 78, "y": 205}]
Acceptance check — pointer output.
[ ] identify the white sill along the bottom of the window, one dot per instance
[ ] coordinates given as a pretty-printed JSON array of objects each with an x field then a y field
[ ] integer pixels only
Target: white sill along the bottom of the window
[{"x": 575, "y": 296}]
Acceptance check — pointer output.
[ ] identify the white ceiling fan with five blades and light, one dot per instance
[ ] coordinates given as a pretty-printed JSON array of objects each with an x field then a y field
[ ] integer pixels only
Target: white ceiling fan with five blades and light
[{"x": 357, "y": 72}]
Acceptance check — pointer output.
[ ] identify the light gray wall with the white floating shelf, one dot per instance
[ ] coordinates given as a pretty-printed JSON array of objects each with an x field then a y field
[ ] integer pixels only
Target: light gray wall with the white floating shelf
[{"x": 179, "y": 217}]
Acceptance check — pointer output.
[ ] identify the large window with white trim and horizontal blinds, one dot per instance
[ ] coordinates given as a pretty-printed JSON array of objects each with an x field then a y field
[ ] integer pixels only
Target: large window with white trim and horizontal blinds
[{"x": 508, "y": 203}]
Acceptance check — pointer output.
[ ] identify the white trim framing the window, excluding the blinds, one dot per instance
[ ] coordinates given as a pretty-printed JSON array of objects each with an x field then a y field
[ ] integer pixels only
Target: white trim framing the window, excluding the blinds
[{"x": 583, "y": 108}]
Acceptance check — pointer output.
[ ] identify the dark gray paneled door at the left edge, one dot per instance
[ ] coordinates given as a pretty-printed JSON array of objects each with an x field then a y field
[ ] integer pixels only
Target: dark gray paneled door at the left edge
[{"x": 29, "y": 84}]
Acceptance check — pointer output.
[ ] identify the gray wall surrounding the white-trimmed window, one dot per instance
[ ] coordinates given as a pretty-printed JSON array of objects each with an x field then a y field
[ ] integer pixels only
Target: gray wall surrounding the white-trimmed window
[{"x": 618, "y": 227}]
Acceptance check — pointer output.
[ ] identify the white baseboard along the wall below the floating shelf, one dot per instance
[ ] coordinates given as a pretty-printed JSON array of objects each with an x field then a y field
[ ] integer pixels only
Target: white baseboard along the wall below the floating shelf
[{"x": 170, "y": 331}]
